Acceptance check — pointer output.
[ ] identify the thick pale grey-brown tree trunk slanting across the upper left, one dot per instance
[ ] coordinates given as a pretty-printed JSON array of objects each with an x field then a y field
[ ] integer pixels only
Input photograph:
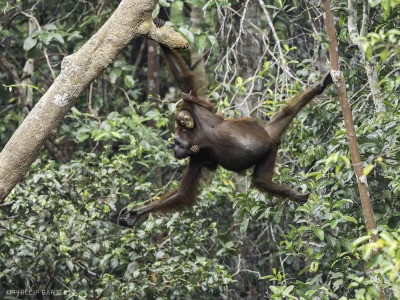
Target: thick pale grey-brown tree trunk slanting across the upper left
[{"x": 132, "y": 18}]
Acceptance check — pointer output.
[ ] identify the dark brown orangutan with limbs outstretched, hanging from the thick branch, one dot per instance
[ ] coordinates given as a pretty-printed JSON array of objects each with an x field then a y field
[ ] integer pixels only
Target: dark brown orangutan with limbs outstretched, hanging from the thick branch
[{"x": 236, "y": 145}]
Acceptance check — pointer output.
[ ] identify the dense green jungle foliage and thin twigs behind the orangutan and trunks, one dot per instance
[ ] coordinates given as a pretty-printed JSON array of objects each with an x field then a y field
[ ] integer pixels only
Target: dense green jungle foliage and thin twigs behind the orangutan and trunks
[{"x": 114, "y": 149}]
